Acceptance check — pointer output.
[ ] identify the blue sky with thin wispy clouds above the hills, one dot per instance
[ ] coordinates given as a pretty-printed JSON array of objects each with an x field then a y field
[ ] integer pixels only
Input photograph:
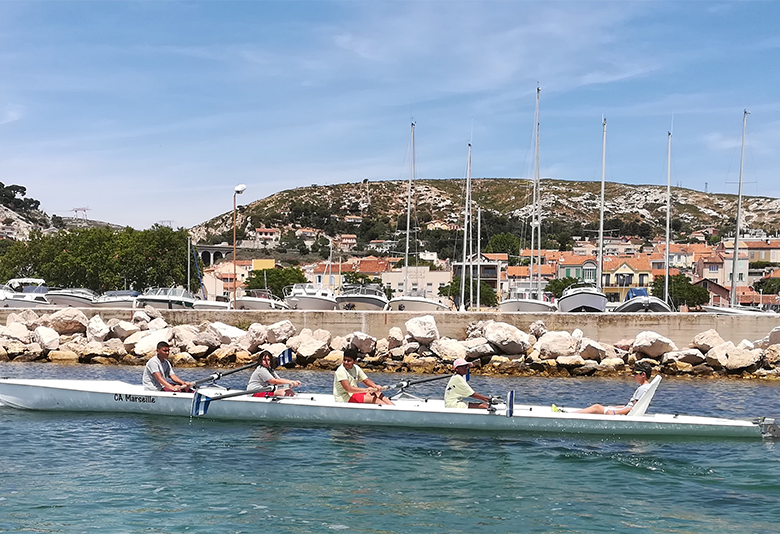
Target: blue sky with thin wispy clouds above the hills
[{"x": 153, "y": 110}]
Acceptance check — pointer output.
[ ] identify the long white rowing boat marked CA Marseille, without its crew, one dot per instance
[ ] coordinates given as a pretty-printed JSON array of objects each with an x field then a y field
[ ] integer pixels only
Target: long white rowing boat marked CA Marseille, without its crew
[{"x": 320, "y": 409}]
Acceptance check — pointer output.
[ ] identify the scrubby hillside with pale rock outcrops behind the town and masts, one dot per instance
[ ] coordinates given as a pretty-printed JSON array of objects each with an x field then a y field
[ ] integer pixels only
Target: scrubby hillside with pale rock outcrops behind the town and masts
[{"x": 443, "y": 200}]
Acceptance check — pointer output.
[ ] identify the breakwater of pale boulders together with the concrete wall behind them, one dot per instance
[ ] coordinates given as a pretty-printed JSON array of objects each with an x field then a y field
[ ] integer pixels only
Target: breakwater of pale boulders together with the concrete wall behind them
[{"x": 517, "y": 344}]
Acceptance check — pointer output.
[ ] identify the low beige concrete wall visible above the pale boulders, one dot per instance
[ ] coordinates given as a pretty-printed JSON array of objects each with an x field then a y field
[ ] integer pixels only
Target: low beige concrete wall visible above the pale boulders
[{"x": 605, "y": 327}]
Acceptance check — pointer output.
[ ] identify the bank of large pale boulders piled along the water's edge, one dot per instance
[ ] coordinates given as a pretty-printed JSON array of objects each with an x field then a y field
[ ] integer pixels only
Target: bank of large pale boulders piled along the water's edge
[{"x": 68, "y": 336}]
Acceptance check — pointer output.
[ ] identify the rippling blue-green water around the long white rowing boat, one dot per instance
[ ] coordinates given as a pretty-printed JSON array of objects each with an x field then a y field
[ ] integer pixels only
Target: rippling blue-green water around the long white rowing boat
[{"x": 98, "y": 473}]
